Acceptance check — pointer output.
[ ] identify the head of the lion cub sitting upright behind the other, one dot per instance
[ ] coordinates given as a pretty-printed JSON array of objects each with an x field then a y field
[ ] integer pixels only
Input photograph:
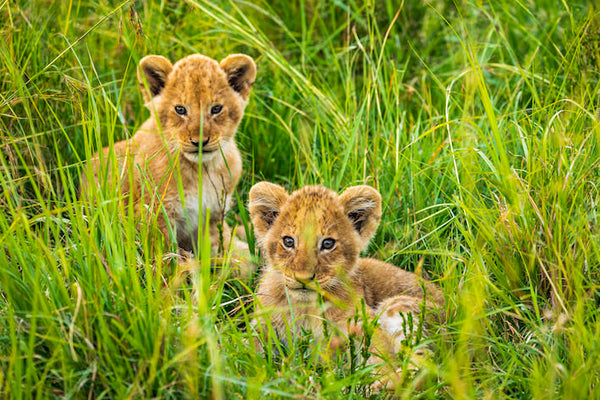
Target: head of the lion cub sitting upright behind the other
[{"x": 199, "y": 102}]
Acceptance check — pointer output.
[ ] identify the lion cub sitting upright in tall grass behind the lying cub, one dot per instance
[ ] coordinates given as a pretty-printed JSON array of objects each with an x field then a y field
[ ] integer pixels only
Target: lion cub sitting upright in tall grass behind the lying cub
[{"x": 196, "y": 106}]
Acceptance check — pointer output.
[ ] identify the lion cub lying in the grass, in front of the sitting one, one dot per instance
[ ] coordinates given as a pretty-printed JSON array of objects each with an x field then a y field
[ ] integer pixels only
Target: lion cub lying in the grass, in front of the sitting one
[{"x": 311, "y": 241}]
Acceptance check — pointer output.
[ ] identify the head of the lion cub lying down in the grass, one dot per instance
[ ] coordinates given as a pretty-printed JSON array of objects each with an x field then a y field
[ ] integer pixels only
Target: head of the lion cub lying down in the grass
[{"x": 313, "y": 237}]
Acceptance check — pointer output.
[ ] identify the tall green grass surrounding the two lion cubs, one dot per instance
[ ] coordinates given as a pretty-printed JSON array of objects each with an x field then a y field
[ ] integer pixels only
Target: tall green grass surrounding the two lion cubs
[{"x": 477, "y": 122}]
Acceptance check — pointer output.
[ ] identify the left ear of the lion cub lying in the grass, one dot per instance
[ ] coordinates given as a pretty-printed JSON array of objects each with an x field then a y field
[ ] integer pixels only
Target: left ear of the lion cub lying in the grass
[{"x": 265, "y": 202}]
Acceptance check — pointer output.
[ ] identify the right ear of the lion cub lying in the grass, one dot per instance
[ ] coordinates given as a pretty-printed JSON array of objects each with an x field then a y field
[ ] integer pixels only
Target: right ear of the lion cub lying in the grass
[{"x": 362, "y": 206}]
